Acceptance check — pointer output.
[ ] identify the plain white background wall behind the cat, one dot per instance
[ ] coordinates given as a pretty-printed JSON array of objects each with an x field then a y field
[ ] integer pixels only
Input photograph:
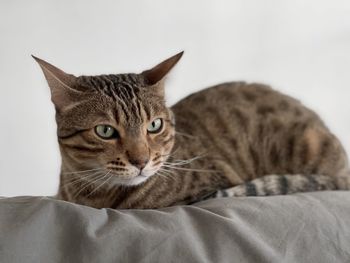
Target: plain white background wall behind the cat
[{"x": 300, "y": 47}]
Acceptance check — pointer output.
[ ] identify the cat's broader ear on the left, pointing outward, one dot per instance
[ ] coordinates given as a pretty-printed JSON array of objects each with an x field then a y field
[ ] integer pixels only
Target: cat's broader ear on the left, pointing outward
[{"x": 61, "y": 85}]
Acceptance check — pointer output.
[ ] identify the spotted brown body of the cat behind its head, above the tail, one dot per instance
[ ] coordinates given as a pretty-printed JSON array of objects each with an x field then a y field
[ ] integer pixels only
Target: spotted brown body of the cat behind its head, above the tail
[{"x": 250, "y": 130}]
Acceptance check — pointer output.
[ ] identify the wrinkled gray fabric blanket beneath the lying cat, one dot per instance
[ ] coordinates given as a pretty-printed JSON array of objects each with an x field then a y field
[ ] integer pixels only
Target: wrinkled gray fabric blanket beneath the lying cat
[{"x": 312, "y": 227}]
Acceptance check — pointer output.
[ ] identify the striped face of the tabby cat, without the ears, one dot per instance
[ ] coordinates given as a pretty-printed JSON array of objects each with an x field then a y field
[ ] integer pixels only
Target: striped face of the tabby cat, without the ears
[{"x": 123, "y": 127}]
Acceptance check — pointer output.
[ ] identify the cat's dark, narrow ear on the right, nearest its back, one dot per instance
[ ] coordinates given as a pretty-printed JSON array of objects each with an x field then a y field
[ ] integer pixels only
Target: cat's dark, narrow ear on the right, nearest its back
[{"x": 157, "y": 73}]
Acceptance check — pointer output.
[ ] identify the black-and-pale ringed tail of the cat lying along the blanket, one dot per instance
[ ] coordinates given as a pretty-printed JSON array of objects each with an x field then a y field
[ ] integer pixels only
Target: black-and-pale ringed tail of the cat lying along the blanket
[{"x": 287, "y": 184}]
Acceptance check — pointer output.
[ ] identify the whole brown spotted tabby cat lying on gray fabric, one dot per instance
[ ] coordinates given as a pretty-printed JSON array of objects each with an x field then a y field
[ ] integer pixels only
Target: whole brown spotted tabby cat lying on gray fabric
[{"x": 122, "y": 147}]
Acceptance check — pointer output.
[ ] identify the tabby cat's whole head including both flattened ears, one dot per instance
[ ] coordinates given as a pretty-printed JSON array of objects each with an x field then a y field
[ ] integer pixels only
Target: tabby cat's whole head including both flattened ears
[{"x": 115, "y": 124}]
